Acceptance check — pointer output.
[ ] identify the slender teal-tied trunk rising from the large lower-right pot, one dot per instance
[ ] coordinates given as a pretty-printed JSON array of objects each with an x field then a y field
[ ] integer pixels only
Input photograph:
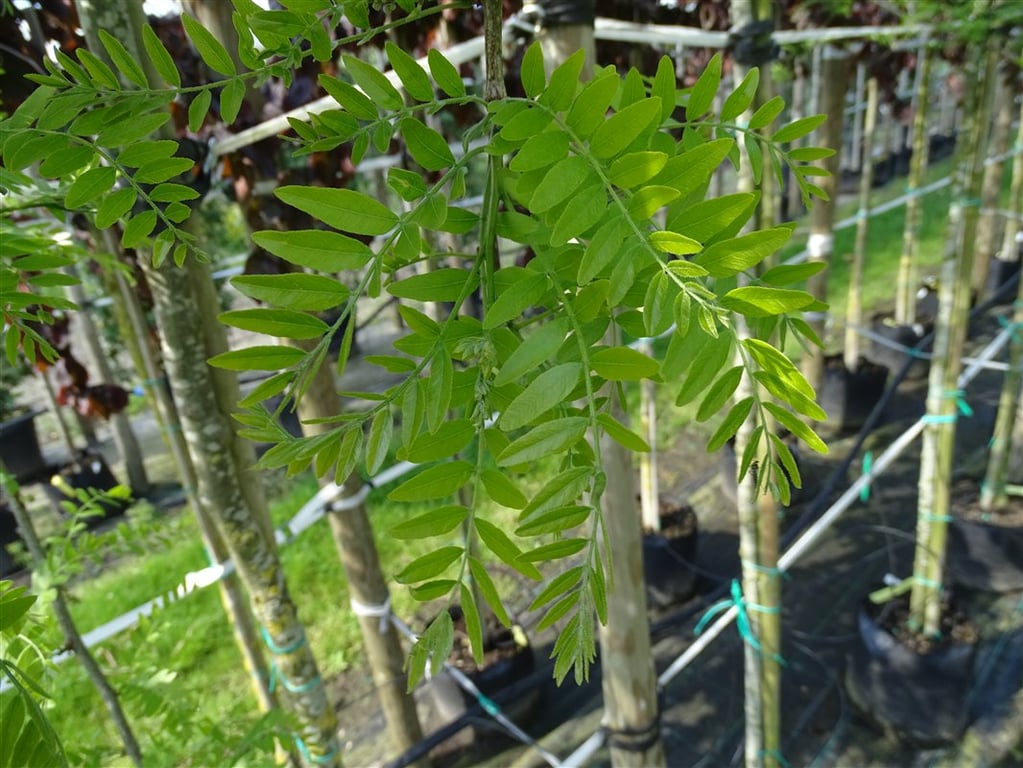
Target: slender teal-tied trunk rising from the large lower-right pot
[{"x": 943, "y": 397}]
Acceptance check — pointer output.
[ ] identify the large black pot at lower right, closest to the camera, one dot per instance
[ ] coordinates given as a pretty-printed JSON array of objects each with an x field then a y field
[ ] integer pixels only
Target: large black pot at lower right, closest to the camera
[{"x": 919, "y": 698}]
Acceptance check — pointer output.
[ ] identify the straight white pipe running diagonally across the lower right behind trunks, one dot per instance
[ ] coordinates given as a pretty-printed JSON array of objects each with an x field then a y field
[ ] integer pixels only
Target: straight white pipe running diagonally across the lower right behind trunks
[{"x": 799, "y": 548}]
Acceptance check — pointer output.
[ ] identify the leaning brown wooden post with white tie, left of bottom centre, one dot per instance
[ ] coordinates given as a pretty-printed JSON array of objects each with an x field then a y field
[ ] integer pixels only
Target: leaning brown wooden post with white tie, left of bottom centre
[{"x": 353, "y": 536}]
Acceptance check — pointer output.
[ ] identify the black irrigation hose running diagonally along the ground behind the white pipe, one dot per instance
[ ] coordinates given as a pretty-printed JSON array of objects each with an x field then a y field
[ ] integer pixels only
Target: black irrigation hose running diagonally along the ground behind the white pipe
[{"x": 672, "y": 622}]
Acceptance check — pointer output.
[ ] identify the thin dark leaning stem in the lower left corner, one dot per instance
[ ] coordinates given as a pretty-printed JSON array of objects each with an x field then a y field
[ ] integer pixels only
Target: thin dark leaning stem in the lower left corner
[{"x": 74, "y": 639}]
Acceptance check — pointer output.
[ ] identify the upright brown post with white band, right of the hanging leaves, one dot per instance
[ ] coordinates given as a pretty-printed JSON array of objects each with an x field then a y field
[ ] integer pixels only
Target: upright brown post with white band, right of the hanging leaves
[{"x": 822, "y": 241}]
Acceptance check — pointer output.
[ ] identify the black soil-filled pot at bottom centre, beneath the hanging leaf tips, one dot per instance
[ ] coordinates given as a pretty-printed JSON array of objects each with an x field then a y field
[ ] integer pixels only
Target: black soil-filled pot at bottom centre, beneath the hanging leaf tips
[{"x": 508, "y": 659}]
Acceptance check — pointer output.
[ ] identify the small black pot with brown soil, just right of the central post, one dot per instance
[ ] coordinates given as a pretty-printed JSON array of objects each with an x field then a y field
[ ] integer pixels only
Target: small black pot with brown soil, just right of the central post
[{"x": 669, "y": 557}]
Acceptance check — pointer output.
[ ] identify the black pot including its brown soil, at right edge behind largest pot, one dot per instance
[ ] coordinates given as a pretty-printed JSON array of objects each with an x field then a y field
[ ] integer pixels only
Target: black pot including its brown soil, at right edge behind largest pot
[{"x": 986, "y": 552}]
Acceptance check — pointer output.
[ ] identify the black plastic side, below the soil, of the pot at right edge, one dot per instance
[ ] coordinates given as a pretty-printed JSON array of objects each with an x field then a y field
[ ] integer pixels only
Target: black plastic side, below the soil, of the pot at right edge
[{"x": 985, "y": 557}]
